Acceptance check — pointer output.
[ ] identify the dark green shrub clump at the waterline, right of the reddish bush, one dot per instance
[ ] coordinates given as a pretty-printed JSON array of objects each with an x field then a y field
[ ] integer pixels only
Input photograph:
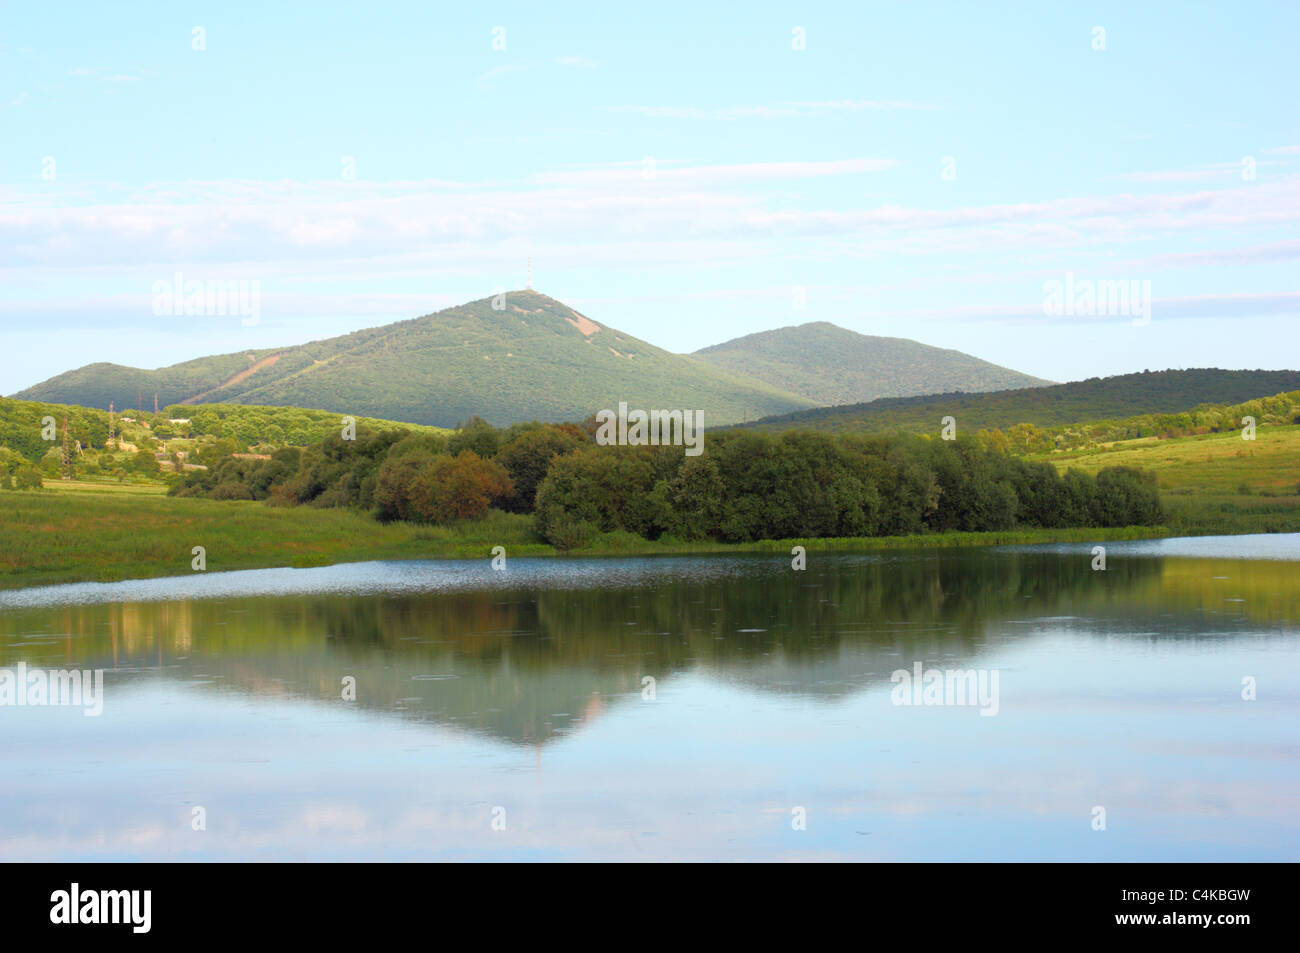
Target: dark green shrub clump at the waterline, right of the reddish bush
[{"x": 755, "y": 487}]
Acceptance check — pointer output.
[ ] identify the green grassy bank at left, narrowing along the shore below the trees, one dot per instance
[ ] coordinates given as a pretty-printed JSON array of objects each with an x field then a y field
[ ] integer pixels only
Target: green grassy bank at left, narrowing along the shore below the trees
[{"x": 84, "y": 536}]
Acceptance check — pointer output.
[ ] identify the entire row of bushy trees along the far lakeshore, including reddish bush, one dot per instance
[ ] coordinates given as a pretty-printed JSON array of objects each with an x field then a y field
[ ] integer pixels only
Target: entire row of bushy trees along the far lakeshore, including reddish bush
[{"x": 746, "y": 487}]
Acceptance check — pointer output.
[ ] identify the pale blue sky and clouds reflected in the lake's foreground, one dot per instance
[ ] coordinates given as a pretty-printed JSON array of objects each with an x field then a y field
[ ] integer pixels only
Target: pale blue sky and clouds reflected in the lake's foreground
[{"x": 671, "y": 781}]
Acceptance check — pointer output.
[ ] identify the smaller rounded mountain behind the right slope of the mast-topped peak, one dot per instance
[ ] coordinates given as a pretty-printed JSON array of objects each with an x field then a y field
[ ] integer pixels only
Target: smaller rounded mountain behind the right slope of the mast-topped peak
[{"x": 833, "y": 366}]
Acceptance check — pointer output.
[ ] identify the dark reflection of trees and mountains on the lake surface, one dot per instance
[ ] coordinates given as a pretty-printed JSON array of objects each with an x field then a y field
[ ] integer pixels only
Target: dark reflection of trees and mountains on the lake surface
[{"x": 527, "y": 665}]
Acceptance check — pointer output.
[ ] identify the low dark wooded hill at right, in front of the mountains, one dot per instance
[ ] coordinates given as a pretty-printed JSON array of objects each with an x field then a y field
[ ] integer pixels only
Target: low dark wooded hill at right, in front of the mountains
[{"x": 1095, "y": 400}]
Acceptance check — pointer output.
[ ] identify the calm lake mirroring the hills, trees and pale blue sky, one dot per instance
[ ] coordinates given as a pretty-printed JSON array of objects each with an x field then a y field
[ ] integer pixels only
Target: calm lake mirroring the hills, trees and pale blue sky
[{"x": 963, "y": 705}]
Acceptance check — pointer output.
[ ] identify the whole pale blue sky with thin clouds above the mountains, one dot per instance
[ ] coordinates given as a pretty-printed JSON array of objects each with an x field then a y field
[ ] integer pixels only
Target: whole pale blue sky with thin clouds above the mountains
[{"x": 687, "y": 176}]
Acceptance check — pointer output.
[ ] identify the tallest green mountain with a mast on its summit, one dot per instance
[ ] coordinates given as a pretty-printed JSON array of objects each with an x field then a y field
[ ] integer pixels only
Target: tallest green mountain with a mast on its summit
[{"x": 535, "y": 358}]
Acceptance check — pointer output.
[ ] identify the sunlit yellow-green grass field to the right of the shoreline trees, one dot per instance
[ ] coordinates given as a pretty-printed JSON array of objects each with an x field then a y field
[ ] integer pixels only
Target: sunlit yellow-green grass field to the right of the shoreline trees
[{"x": 1214, "y": 483}]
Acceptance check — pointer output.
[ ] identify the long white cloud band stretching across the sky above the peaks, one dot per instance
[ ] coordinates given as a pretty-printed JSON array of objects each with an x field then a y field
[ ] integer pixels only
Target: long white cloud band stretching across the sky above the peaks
[{"x": 595, "y": 207}]
